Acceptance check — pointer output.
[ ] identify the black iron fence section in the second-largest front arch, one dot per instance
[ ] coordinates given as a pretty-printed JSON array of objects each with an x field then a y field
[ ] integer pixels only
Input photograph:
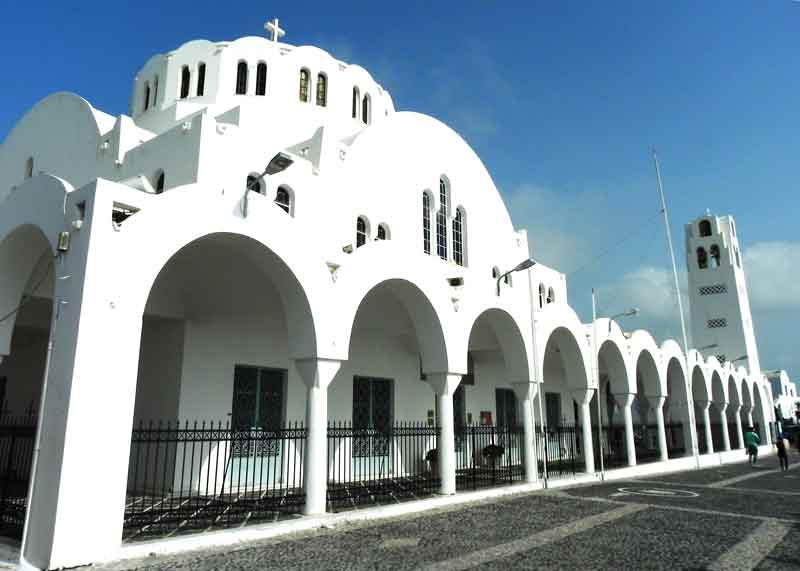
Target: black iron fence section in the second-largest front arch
[{"x": 369, "y": 466}]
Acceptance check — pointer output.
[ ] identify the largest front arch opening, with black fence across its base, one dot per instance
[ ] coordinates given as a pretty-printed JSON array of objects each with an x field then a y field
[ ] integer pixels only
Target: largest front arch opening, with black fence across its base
[{"x": 218, "y": 437}]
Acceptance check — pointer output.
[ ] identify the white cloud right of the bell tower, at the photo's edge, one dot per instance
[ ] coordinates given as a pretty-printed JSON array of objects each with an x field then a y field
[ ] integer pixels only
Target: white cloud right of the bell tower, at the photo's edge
[{"x": 773, "y": 275}]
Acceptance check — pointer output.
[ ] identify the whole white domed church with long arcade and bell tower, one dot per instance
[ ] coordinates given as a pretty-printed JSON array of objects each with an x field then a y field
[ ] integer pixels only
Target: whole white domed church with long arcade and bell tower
[{"x": 266, "y": 292}]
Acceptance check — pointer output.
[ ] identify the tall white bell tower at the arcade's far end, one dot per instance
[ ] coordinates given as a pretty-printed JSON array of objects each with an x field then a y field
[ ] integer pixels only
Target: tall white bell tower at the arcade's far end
[{"x": 721, "y": 322}]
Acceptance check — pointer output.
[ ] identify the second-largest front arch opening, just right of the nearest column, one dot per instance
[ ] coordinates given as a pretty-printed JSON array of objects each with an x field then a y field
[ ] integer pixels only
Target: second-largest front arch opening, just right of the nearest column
[{"x": 383, "y": 405}]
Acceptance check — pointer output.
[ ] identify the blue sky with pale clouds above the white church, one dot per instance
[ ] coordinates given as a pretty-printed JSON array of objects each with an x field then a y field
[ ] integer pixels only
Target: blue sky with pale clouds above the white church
[{"x": 561, "y": 99}]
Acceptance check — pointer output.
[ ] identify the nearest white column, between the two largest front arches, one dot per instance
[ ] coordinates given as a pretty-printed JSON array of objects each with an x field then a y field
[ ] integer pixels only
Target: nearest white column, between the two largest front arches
[{"x": 317, "y": 375}]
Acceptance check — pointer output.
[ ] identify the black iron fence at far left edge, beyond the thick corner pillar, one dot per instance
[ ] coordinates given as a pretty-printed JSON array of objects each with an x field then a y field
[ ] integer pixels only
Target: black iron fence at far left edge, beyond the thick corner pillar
[{"x": 17, "y": 438}]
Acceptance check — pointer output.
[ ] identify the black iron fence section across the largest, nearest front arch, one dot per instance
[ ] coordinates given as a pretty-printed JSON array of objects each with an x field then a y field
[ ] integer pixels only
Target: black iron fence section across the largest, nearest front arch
[{"x": 186, "y": 477}]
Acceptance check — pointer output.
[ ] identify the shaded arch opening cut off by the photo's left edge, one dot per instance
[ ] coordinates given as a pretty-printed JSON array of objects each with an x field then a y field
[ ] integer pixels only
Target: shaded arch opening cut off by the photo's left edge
[{"x": 27, "y": 281}]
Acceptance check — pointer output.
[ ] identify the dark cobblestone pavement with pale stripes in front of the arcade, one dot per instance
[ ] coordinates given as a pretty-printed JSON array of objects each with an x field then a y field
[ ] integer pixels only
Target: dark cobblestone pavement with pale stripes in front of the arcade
[{"x": 710, "y": 519}]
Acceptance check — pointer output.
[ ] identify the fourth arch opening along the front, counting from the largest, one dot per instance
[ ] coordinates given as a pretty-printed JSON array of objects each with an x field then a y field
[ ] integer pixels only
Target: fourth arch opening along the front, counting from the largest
[{"x": 567, "y": 415}]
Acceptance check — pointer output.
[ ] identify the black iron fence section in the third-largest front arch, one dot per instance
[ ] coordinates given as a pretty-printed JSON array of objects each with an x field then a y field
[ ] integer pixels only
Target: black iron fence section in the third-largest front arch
[{"x": 489, "y": 456}]
